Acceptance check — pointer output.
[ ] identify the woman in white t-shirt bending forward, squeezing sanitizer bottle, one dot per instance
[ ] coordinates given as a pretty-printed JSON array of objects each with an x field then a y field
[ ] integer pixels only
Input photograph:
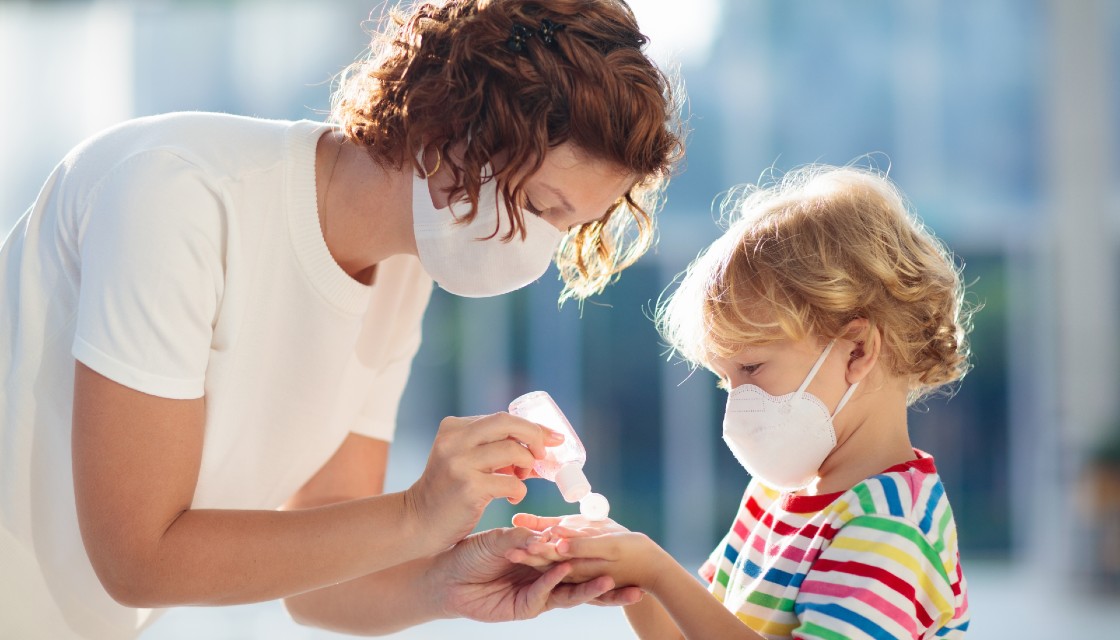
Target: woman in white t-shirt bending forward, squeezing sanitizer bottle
[{"x": 211, "y": 321}]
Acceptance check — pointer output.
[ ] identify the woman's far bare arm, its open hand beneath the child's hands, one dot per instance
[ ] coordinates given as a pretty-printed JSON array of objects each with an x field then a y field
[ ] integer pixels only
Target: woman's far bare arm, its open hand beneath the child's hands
[{"x": 473, "y": 579}]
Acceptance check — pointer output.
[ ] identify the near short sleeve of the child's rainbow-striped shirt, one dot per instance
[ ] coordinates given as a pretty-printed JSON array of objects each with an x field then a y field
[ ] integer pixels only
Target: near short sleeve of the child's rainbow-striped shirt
[{"x": 880, "y": 578}]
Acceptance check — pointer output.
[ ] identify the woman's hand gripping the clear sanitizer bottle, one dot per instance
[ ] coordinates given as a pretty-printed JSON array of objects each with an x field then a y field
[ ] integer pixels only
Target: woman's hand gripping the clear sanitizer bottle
[{"x": 469, "y": 467}]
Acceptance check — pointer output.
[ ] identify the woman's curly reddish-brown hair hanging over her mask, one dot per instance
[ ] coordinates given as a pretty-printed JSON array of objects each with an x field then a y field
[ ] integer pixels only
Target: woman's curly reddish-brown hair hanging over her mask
[{"x": 445, "y": 75}]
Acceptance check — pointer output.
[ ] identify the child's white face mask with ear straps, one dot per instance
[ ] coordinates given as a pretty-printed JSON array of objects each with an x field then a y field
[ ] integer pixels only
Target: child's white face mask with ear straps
[{"x": 782, "y": 441}]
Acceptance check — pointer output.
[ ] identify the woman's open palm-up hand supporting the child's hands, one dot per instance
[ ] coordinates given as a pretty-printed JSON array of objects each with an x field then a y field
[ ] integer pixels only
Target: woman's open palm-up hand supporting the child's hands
[{"x": 480, "y": 583}]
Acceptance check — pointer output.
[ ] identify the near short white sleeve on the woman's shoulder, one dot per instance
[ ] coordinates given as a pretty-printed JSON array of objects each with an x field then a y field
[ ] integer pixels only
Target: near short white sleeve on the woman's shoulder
[{"x": 152, "y": 276}]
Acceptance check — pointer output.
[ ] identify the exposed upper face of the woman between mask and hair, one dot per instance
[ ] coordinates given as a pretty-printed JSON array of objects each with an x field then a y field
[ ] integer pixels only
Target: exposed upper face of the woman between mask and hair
[{"x": 573, "y": 189}]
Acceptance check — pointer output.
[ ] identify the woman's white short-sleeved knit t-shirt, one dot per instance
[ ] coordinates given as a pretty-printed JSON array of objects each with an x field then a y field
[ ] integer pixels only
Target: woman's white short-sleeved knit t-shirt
[{"x": 182, "y": 256}]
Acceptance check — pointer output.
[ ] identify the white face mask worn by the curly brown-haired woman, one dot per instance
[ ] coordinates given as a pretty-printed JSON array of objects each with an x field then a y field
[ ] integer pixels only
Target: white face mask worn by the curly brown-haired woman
[{"x": 471, "y": 261}]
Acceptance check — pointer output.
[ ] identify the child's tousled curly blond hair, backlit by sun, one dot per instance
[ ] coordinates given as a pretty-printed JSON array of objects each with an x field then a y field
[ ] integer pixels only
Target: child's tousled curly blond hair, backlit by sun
[{"x": 813, "y": 252}]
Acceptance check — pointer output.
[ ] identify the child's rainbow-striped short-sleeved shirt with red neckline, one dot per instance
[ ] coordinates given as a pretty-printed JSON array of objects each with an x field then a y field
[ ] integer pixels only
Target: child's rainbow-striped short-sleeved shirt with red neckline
[{"x": 878, "y": 561}]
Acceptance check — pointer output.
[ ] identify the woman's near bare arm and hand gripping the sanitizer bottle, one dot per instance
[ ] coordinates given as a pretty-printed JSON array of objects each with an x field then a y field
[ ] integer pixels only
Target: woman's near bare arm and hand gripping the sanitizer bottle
[{"x": 136, "y": 466}]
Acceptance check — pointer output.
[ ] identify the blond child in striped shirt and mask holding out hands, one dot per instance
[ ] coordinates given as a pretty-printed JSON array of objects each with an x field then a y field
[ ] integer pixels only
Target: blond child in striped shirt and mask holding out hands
[{"x": 826, "y": 310}]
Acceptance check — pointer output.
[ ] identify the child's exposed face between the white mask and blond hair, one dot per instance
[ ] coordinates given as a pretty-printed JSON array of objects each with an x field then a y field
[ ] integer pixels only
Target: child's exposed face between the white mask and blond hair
[{"x": 781, "y": 367}]
